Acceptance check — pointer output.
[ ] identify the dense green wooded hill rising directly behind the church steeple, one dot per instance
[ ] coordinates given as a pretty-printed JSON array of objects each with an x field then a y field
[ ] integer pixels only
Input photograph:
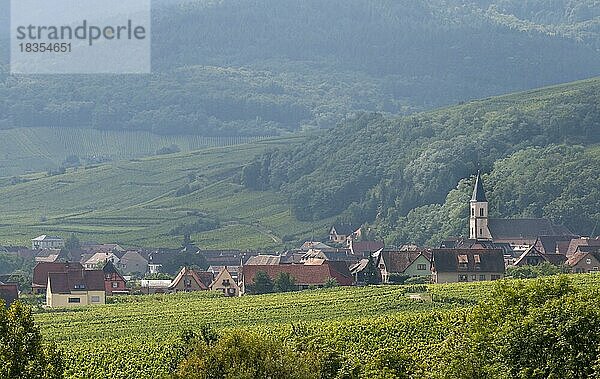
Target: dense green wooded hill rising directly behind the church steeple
[{"x": 404, "y": 176}]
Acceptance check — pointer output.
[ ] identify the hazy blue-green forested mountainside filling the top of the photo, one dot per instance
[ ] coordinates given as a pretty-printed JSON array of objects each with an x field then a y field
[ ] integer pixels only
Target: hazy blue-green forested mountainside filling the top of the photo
[{"x": 237, "y": 67}]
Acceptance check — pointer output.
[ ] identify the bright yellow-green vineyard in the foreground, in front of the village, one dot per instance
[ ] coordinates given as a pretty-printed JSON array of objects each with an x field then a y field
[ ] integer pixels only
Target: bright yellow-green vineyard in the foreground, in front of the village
[{"x": 137, "y": 337}]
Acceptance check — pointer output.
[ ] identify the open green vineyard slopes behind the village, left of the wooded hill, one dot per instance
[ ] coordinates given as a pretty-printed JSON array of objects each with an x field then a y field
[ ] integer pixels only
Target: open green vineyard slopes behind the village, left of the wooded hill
[{"x": 135, "y": 202}]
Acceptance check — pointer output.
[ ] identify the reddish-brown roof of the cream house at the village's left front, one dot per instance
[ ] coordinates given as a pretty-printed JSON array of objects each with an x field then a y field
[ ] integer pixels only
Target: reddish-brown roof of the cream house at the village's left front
[{"x": 76, "y": 280}]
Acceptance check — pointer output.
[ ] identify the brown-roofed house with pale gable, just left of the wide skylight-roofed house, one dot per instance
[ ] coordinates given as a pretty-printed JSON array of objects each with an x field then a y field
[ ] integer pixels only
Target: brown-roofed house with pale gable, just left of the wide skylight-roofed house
[{"x": 407, "y": 263}]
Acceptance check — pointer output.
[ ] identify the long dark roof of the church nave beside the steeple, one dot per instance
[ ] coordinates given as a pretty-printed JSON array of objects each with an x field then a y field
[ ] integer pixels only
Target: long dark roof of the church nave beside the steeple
[{"x": 524, "y": 228}]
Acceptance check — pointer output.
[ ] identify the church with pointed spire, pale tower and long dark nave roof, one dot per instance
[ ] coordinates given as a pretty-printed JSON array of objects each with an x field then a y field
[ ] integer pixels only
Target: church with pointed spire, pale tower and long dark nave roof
[{"x": 512, "y": 231}]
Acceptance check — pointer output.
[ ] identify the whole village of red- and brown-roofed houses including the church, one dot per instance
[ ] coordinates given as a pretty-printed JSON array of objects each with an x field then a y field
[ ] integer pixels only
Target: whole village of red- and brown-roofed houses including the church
[{"x": 92, "y": 272}]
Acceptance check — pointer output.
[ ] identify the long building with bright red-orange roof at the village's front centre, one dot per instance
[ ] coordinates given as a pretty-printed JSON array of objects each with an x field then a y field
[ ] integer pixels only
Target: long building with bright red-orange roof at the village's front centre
[{"x": 305, "y": 276}]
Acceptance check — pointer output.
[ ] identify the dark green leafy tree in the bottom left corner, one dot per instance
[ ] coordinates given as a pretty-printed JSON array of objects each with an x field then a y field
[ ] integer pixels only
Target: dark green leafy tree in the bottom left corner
[{"x": 22, "y": 352}]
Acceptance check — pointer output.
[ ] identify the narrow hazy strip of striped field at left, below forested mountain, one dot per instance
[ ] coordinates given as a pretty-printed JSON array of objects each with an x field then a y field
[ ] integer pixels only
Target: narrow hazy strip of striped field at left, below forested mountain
[{"x": 26, "y": 150}]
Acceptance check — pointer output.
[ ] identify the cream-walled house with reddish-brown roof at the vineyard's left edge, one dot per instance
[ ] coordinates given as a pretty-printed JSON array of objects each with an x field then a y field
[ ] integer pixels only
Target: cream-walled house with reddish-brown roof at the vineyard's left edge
[{"x": 75, "y": 287}]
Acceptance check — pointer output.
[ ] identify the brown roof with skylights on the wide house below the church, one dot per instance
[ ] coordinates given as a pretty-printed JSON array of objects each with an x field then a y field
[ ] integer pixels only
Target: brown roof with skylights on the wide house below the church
[{"x": 481, "y": 260}]
